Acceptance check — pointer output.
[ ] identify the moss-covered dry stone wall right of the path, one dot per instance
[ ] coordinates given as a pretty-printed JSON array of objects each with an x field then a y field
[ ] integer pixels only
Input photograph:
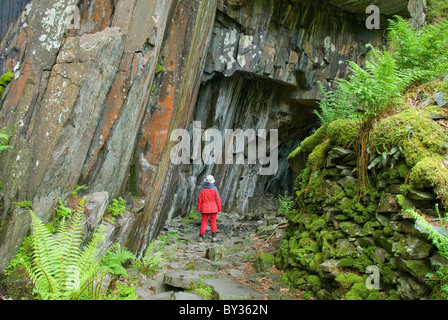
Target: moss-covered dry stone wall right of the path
[{"x": 337, "y": 233}]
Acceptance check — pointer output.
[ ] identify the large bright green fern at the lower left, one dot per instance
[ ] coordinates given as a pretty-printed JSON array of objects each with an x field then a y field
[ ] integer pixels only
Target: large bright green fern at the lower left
[{"x": 61, "y": 267}]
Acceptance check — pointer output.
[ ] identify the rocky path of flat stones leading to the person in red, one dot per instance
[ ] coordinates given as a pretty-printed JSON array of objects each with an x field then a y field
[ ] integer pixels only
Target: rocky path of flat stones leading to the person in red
[{"x": 238, "y": 266}]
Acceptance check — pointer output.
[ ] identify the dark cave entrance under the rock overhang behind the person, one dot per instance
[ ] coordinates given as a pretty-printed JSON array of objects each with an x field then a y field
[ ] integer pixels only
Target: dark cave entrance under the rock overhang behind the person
[{"x": 244, "y": 102}]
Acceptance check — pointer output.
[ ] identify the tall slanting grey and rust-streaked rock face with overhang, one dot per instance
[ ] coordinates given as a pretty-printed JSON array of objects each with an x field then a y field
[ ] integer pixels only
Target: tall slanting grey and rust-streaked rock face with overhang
[{"x": 100, "y": 86}]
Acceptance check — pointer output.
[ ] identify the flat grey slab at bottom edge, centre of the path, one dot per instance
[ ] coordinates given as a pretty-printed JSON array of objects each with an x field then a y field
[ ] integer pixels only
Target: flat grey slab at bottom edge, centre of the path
[{"x": 225, "y": 289}]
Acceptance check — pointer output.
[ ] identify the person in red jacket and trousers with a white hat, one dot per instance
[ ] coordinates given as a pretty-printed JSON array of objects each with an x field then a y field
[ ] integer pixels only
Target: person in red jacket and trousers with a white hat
[{"x": 209, "y": 204}]
